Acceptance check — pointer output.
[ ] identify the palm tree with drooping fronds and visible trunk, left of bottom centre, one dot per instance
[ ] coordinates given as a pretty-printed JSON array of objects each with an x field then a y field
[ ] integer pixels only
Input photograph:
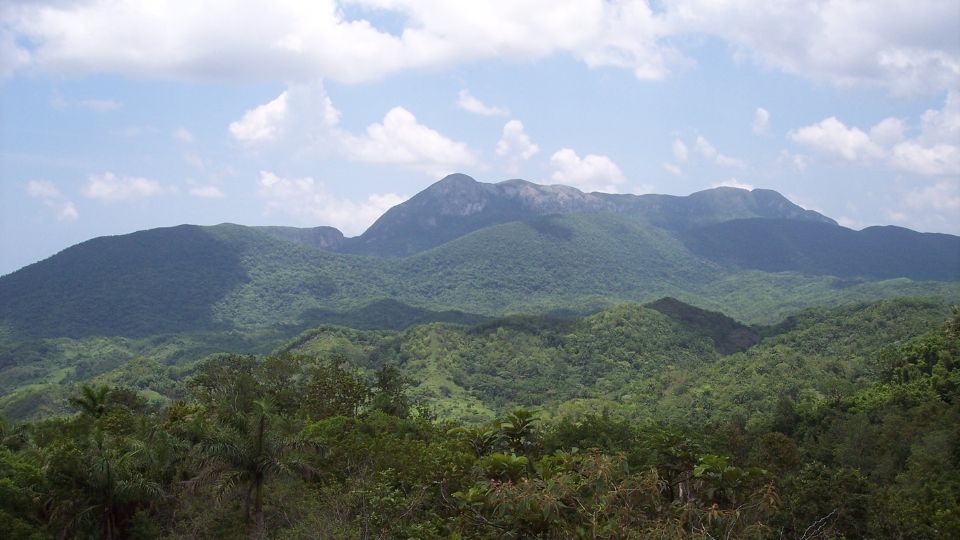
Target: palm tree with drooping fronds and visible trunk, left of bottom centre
[{"x": 243, "y": 453}]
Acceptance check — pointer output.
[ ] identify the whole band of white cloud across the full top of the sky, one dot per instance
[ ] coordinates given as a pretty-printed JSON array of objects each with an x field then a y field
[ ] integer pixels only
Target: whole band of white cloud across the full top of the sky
[{"x": 903, "y": 45}]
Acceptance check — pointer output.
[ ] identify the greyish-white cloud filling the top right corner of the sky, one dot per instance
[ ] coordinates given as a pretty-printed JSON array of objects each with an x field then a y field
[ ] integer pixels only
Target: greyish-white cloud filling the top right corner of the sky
[{"x": 904, "y": 46}]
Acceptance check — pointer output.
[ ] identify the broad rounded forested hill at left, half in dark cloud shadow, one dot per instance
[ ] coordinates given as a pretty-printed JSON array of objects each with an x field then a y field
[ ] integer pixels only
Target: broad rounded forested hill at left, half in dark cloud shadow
[{"x": 181, "y": 279}]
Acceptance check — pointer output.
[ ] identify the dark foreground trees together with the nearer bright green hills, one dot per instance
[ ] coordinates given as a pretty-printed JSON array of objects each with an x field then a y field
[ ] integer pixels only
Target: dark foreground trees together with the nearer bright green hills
[{"x": 841, "y": 423}]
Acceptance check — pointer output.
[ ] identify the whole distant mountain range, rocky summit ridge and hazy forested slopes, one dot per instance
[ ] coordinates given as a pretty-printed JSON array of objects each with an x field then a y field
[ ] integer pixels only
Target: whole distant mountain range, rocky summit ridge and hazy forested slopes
[{"x": 464, "y": 250}]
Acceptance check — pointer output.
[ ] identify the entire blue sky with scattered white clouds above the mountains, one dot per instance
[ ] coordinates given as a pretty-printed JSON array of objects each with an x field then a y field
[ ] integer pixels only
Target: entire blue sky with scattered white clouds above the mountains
[{"x": 118, "y": 116}]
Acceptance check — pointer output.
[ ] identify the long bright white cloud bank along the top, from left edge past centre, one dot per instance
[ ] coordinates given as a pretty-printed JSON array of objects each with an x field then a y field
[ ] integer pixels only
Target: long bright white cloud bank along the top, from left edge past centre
[{"x": 293, "y": 40}]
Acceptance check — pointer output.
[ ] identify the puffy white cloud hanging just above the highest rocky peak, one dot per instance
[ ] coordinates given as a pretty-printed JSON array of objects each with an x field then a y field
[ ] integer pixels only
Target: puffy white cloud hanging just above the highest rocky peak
[{"x": 400, "y": 139}]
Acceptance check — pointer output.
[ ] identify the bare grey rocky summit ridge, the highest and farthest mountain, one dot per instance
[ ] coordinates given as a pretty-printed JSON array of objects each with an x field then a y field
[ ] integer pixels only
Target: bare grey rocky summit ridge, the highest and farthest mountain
[{"x": 458, "y": 204}]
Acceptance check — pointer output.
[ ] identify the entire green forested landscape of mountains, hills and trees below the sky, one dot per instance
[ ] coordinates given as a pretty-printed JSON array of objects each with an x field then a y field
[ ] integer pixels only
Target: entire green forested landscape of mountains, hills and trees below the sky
[{"x": 489, "y": 361}]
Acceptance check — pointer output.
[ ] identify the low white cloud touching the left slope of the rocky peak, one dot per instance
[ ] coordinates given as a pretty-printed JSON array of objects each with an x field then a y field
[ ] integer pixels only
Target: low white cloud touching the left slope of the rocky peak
[{"x": 311, "y": 203}]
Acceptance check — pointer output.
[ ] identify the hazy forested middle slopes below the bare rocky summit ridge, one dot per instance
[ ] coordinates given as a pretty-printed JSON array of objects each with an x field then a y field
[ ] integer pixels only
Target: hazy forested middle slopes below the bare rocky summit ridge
[{"x": 230, "y": 277}]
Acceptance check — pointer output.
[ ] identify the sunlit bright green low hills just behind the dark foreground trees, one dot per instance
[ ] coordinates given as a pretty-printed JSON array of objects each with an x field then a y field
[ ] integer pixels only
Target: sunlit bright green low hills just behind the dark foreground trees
[{"x": 634, "y": 359}]
